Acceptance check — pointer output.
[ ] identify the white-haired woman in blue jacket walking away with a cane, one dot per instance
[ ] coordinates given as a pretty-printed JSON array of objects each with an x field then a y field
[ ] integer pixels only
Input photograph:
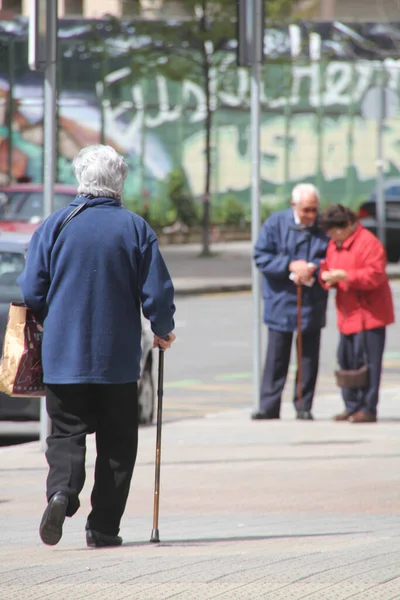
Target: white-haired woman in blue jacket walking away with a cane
[{"x": 88, "y": 282}]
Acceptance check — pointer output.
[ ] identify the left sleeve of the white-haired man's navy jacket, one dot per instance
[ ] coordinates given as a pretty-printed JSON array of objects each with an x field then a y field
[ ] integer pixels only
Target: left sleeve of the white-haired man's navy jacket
[{"x": 266, "y": 255}]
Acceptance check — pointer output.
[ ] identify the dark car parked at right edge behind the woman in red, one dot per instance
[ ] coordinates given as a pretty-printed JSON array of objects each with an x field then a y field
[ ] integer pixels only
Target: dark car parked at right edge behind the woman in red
[{"x": 367, "y": 216}]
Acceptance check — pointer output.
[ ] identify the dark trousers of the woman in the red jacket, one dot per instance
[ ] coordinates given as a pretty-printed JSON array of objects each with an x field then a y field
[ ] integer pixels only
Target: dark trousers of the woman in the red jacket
[{"x": 350, "y": 356}]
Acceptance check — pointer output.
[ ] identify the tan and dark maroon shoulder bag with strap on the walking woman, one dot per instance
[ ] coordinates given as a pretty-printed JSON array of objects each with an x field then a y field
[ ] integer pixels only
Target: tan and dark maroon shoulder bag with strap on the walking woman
[{"x": 21, "y": 372}]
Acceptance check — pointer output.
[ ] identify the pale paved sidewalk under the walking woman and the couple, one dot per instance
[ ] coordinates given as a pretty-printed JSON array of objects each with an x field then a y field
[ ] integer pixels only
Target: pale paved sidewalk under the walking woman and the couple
[{"x": 281, "y": 510}]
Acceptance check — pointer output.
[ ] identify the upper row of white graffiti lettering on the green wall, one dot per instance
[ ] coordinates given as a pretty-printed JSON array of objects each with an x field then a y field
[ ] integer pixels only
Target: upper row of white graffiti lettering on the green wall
[{"x": 318, "y": 84}]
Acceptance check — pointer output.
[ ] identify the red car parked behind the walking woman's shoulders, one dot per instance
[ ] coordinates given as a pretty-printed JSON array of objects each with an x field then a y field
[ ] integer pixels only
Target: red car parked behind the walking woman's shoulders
[{"x": 22, "y": 205}]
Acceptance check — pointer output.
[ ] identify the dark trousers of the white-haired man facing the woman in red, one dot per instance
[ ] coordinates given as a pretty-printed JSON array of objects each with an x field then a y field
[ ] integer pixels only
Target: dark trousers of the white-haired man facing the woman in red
[{"x": 277, "y": 365}]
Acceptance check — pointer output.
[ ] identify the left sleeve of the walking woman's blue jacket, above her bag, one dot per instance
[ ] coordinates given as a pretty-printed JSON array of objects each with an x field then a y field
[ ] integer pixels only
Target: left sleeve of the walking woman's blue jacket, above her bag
[{"x": 34, "y": 281}]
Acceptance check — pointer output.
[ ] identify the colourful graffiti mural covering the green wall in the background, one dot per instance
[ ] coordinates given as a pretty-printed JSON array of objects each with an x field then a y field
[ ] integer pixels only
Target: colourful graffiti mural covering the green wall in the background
[{"x": 313, "y": 127}]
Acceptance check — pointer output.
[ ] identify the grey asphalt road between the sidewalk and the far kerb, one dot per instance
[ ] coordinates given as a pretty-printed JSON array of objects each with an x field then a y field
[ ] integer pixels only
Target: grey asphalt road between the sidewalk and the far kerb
[{"x": 209, "y": 369}]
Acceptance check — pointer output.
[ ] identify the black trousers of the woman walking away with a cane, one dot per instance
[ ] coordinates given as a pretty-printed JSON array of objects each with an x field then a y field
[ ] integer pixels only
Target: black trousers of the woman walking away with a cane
[{"x": 111, "y": 411}]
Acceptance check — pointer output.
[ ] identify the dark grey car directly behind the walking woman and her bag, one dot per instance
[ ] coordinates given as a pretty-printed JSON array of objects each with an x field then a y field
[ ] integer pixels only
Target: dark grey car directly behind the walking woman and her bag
[{"x": 13, "y": 248}]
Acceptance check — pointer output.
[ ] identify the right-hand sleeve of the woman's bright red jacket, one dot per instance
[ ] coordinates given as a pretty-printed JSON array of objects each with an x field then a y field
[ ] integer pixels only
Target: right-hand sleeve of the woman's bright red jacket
[{"x": 373, "y": 271}]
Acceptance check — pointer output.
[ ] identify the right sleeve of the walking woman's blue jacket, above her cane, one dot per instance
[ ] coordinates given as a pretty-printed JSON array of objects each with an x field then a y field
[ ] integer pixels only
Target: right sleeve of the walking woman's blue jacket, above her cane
[{"x": 156, "y": 290}]
